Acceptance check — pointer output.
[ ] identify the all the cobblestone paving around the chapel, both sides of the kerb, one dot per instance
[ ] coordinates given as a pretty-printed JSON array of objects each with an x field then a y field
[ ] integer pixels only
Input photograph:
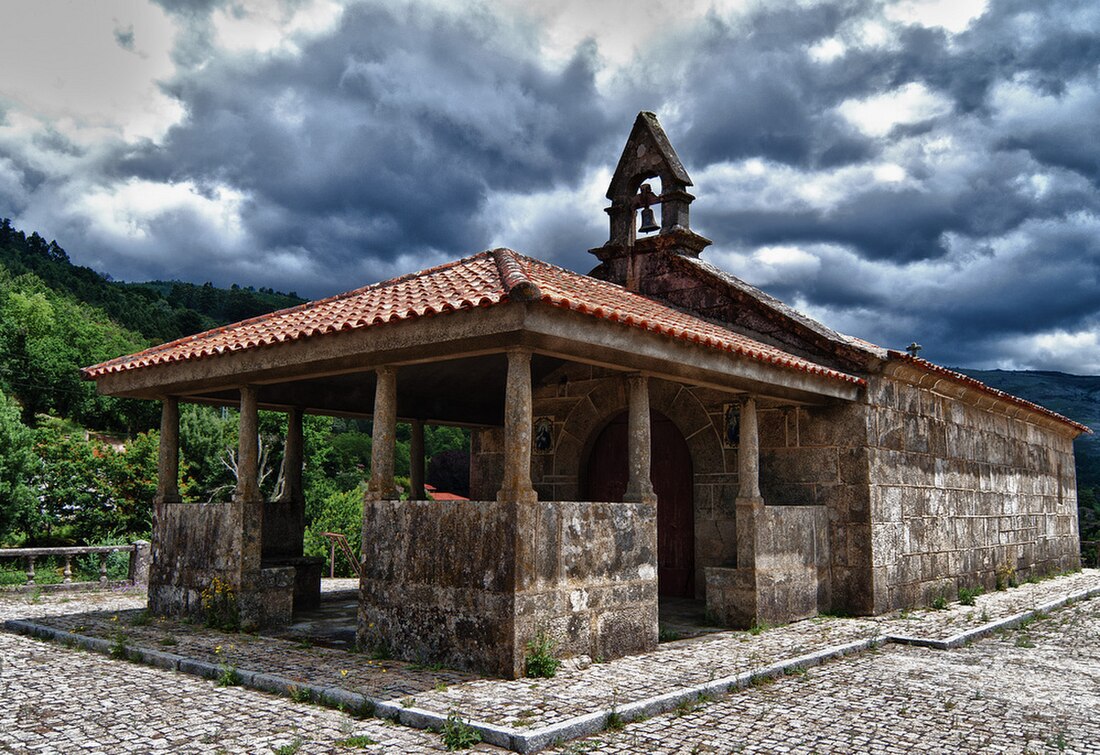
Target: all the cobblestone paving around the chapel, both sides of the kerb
[{"x": 1028, "y": 690}]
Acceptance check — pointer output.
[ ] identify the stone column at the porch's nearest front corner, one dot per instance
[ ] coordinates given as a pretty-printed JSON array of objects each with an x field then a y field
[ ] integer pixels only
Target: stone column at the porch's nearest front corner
[{"x": 518, "y": 430}]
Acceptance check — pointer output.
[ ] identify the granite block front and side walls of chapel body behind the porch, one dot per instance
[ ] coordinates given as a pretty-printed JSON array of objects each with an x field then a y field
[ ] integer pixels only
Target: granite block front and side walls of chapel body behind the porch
[{"x": 907, "y": 496}]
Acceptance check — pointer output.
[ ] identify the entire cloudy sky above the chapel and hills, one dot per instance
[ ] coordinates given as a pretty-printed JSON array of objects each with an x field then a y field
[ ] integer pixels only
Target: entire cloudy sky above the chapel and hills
[{"x": 921, "y": 170}]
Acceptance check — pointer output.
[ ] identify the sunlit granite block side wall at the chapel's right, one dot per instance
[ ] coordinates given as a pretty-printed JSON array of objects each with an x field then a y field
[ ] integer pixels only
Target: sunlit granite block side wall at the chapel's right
[{"x": 960, "y": 493}]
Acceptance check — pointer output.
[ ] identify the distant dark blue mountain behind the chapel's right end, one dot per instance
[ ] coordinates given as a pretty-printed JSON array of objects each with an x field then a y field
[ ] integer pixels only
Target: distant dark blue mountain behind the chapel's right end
[{"x": 1074, "y": 397}]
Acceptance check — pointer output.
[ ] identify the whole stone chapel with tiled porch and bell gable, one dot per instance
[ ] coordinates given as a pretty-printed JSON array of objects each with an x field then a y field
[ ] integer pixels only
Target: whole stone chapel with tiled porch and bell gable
[{"x": 657, "y": 429}]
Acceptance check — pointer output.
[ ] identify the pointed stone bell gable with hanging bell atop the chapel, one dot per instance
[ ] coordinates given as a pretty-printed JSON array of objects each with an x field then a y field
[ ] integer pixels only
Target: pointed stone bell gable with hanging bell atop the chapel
[{"x": 629, "y": 259}]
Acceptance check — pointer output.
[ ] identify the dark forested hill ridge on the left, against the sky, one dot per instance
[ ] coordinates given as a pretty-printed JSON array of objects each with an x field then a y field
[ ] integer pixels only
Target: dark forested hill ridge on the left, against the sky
[{"x": 162, "y": 311}]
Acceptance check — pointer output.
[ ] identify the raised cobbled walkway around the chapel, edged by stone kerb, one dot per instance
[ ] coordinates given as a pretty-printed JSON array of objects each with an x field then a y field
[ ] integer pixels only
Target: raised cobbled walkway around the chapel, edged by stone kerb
[{"x": 531, "y": 714}]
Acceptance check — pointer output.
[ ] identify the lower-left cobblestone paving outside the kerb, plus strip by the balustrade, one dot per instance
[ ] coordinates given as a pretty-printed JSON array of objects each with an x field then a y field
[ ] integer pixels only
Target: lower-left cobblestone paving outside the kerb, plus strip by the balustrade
[{"x": 60, "y": 701}]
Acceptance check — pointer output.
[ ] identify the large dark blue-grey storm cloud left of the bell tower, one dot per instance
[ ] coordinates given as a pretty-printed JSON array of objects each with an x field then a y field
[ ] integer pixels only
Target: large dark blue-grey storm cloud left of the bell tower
[{"x": 383, "y": 138}]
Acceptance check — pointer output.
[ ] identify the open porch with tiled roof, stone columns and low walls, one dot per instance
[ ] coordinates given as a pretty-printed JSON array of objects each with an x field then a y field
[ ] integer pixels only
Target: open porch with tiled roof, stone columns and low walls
[{"x": 466, "y": 584}]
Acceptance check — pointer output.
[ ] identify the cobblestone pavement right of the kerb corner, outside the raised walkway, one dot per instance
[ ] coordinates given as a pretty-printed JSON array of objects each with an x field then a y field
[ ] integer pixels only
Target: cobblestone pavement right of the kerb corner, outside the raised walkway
[{"x": 1030, "y": 691}]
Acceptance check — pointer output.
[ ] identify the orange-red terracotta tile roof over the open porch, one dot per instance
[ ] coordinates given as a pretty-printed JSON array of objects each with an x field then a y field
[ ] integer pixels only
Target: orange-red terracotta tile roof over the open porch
[{"x": 480, "y": 281}]
